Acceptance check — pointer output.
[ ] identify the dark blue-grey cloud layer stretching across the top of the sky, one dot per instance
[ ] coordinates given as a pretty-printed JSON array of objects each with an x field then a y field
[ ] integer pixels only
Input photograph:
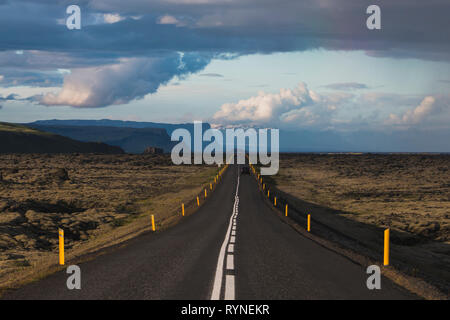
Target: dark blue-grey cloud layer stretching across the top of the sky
[{"x": 410, "y": 28}]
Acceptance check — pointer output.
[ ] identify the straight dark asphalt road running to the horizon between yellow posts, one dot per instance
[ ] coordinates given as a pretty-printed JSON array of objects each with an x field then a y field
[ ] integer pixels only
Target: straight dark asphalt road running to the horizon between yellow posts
[{"x": 233, "y": 247}]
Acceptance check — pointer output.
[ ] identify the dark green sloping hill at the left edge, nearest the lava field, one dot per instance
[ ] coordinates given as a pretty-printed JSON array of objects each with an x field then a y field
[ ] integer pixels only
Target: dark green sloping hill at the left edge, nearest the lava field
[{"x": 16, "y": 138}]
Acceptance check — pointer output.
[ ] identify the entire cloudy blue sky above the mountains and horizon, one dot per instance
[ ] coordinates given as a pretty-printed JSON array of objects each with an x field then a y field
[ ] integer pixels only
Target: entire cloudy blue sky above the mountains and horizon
[{"x": 289, "y": 64}]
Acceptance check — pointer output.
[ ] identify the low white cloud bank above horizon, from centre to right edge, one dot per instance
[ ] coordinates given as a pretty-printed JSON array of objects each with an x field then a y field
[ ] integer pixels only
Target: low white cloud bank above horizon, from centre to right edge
[{"x": 302, "y": 108}]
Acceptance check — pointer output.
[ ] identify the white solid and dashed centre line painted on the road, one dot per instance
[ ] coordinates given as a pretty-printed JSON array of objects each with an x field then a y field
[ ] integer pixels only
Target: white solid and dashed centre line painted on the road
[{"x": 228, "y": 241}]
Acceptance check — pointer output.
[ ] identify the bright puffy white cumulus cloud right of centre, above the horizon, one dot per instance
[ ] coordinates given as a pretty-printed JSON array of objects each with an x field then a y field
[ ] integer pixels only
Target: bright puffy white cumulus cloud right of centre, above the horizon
[{"x": 289, "y": 108}]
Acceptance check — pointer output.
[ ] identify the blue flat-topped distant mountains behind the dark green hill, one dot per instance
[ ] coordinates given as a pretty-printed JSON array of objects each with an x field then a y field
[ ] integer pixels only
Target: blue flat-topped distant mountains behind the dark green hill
[{"x": 131, "y": 136}]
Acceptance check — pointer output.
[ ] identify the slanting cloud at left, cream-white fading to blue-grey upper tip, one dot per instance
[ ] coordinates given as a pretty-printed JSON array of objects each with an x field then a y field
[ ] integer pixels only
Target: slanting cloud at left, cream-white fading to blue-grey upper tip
[{"x": 131, "y": 78}]
